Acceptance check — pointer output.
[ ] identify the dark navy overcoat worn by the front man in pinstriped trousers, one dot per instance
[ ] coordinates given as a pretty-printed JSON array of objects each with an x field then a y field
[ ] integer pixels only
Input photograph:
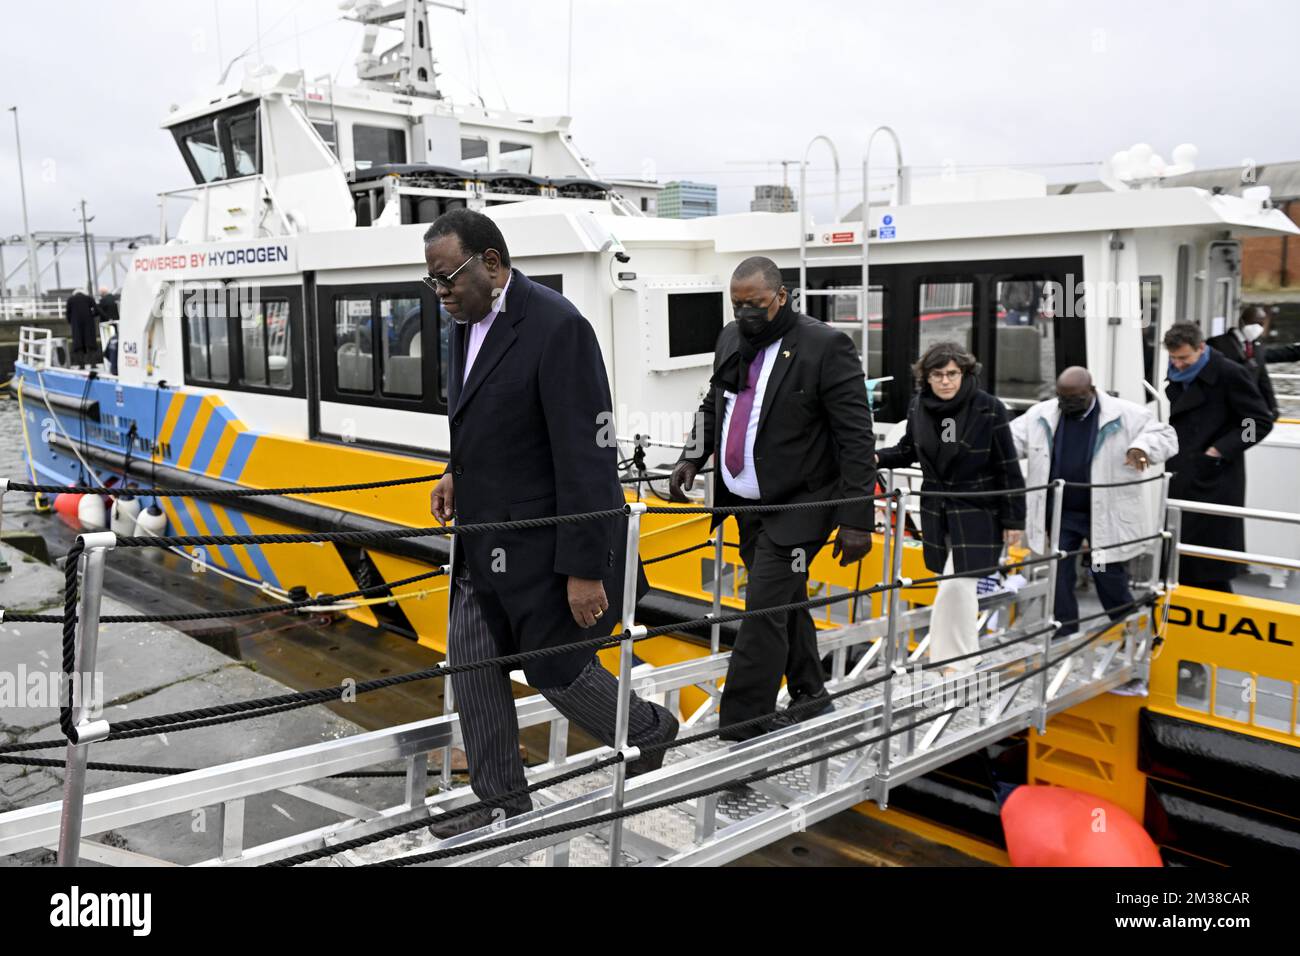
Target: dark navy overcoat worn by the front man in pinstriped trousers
[{"x": 527, "y": 443}]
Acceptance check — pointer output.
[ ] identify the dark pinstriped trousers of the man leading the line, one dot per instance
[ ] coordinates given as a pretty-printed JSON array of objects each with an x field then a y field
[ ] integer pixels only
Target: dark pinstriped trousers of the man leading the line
[{"x": 487, "y": 703}]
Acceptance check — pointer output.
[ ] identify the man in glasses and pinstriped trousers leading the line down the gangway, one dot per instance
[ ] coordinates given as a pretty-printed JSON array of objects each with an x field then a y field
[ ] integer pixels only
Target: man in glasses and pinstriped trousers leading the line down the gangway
[{"x": 527, "y": 396}]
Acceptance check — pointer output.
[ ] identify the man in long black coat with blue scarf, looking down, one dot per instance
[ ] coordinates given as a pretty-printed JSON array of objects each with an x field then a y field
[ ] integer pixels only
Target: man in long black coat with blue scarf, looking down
[{"x": 1219, "y": 414}]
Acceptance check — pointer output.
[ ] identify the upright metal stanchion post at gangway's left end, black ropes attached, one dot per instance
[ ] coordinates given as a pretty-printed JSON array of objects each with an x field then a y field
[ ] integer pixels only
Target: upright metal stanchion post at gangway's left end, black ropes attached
[{"x": 92, "y": 563}]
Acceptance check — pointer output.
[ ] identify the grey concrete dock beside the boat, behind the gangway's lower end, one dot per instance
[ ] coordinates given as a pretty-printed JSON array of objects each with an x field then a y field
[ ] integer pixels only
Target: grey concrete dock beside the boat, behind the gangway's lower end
[{"x": 153, "y": 669}]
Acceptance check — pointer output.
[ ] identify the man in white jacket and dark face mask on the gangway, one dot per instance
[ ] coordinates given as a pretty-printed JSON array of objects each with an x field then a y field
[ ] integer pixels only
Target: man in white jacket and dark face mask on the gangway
[{"x": 1087, "y": 438}]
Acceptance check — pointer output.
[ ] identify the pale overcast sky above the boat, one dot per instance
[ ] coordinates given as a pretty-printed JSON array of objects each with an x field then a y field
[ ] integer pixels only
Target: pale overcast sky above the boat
[{"x": 682, "y": 89}]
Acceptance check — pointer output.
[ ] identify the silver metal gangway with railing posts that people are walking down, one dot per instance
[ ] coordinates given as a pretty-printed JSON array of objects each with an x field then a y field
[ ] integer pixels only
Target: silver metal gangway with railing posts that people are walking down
[{"x": 896, "y": 717}]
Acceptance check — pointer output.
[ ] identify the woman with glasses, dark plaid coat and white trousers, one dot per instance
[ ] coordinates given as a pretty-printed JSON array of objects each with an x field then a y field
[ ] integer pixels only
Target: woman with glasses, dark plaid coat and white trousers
[{"x": 961, "y": 438}]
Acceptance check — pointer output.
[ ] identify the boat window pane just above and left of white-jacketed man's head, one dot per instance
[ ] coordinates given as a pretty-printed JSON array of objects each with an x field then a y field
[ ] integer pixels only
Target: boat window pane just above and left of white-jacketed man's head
[{"x": 1025, "y": 339}]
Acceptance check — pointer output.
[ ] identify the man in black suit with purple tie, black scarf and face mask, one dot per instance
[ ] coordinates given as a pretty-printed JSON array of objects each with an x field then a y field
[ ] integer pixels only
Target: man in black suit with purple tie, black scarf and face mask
[{"x": 787, "y": 421}]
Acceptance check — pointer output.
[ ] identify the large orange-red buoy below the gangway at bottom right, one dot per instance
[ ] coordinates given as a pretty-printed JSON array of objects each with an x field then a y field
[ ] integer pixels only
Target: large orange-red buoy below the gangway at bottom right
[{"x": 1056, "y": 827}]
